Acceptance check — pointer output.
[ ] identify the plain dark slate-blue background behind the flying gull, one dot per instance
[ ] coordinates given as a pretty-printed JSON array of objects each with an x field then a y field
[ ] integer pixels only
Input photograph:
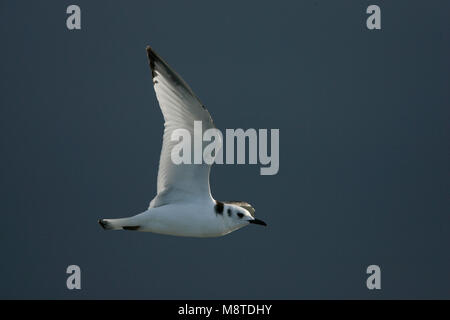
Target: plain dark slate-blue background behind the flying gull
[{"x": 364, "y": 147}]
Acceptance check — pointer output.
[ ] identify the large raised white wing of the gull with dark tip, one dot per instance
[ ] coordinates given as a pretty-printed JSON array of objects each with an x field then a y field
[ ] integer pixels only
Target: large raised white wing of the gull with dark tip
[{"x": 180, "y": 108}]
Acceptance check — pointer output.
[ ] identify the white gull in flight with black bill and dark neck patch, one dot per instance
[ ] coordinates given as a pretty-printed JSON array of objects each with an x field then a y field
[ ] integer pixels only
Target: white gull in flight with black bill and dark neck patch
[{"x": 183, "y": 205}]
